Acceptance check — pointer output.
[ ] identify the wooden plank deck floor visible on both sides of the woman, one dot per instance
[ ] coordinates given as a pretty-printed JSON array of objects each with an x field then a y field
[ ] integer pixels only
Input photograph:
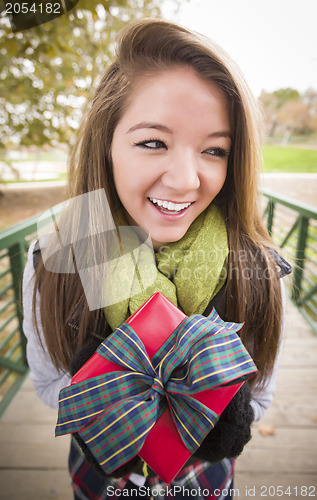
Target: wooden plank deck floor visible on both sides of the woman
[{"x": 33, "y": 464}]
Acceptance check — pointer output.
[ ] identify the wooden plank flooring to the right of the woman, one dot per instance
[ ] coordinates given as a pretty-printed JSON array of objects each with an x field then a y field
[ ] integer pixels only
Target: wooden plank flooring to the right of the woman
[{"x": 289, "y": 456}]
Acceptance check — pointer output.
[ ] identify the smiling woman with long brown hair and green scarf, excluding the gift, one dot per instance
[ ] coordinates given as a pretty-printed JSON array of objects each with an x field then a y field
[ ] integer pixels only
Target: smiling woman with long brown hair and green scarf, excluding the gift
[{"x": 172, "y": 136}]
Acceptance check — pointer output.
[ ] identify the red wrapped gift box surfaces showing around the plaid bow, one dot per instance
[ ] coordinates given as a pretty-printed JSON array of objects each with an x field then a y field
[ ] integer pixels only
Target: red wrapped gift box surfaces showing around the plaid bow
[{"x": 163, "y": 449}]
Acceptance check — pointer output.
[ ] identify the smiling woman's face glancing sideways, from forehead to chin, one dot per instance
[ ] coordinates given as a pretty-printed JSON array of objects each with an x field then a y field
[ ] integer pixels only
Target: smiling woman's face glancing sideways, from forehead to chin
[{"x": 170, "y": 152}]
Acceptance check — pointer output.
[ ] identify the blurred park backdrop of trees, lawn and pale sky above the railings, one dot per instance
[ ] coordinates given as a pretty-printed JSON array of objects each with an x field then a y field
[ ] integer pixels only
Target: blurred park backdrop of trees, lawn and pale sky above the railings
[{"x": 49, "y": 73}]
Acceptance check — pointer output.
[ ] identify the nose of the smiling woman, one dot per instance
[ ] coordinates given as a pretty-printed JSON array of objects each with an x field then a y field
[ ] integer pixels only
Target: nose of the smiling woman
[{"x": 182, "y": 173}]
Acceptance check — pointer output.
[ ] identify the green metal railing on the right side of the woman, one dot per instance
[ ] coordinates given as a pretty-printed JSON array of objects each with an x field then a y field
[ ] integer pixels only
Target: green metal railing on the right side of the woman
[{"x": 293, "y": 227}]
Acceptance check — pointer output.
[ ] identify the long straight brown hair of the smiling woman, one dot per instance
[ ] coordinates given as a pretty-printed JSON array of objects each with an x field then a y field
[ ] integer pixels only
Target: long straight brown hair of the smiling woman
[{"x": 253, "y": 288}]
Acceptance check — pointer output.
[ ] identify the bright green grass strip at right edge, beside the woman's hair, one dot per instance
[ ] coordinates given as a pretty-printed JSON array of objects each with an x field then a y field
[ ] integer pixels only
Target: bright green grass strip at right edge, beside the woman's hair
[{"x": 289, "y": 159}]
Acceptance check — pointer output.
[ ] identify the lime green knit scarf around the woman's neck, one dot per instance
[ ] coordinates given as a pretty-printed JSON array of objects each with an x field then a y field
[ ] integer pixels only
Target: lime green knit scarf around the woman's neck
[{"x": 188, "y": 272}]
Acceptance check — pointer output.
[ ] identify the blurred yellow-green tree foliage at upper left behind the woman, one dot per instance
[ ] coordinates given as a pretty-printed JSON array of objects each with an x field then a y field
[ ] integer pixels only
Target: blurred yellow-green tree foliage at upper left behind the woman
[{"x": 48, "y": 72}]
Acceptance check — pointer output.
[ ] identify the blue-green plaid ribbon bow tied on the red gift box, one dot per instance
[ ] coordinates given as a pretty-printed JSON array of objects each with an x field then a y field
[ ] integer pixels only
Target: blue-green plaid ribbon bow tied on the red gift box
[{"x": 114, "y": 412}]
